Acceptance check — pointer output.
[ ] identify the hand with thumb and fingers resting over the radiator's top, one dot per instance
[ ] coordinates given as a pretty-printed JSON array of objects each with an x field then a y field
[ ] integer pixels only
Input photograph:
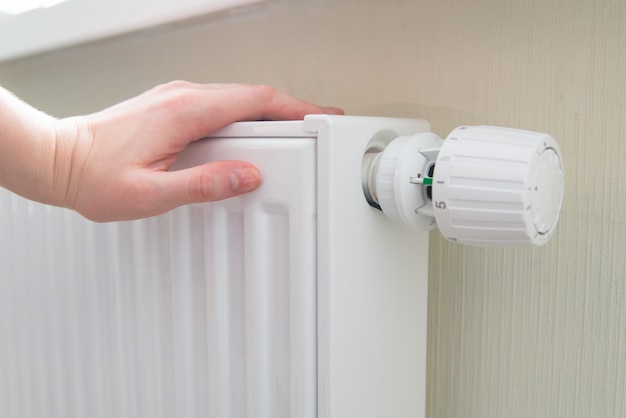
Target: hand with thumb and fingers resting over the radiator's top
[{"x": 113, "y": 165}]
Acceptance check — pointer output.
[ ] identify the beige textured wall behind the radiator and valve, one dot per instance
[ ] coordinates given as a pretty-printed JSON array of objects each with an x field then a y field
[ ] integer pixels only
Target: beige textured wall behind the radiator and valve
[{"x": 512, "y": 333}]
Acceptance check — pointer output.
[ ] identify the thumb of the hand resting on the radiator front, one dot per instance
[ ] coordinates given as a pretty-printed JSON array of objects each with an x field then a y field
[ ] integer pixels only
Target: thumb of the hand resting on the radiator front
[{"x": 212, "y": 181}]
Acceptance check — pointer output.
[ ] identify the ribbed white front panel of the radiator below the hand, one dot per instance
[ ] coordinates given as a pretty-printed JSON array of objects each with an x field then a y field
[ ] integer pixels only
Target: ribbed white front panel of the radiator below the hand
[{"x": 208, "y": 311}]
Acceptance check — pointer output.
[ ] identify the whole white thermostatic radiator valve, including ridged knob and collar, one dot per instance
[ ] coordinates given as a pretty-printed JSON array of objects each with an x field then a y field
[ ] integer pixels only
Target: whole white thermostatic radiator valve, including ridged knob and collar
[{"x": 483, "y": 185}]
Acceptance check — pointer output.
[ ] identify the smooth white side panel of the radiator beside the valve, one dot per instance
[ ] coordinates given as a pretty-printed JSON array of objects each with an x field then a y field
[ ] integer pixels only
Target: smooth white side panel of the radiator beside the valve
[{"x": 372, "y": 282}]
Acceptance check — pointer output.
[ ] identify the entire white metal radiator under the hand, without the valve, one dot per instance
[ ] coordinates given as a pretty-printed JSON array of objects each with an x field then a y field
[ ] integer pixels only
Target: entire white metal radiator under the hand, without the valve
[{"x": 297, "y": 300}]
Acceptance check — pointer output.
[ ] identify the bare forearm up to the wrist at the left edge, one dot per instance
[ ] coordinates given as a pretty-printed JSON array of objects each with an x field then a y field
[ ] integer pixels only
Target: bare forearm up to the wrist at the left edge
[{"x": 27, "y": 150}]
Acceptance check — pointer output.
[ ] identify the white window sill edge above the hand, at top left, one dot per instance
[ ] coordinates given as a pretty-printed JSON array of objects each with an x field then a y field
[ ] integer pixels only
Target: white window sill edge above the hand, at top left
[{"x": 79, "y": 21}]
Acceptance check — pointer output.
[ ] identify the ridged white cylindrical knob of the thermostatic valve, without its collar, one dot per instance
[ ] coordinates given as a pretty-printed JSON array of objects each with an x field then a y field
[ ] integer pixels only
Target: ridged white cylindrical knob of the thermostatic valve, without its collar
[{"x": 498, "y": 186}]
